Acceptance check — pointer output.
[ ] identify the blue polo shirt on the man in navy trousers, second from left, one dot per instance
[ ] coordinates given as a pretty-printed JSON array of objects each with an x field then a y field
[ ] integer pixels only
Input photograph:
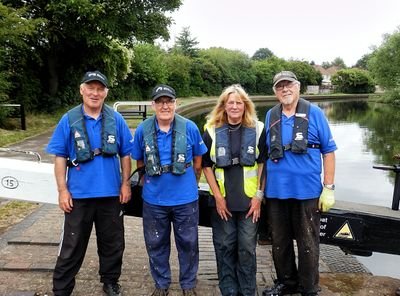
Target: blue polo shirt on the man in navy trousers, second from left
[{"x": 169, "y": 189}]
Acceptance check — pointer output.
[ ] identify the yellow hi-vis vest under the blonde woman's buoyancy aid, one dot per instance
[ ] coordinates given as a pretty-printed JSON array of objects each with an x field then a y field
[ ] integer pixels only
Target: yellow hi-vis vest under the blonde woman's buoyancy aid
[{"x": 249, "y": 172}]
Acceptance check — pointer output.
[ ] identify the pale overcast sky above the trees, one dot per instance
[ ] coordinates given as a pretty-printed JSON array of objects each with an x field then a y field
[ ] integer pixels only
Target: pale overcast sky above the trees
[{"x": 311, "y": 30}]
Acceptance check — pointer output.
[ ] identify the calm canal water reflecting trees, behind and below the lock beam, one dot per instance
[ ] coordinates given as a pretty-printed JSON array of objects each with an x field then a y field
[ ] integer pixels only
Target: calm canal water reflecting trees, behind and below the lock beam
[{"x": 366, "y": 134}]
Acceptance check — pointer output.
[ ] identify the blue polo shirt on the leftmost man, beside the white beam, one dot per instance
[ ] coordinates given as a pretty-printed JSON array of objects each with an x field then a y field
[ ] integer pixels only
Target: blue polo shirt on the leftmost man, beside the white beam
[{"x": 101, "y": 176}]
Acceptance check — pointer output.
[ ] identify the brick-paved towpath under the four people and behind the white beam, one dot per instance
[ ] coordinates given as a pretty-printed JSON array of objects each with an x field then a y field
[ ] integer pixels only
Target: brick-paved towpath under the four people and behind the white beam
[{"x": 29, "y": 249}]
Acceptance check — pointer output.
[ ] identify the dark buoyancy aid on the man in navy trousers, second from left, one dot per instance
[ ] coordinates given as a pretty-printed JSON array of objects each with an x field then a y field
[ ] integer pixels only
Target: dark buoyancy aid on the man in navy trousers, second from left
[{"x": 179, "y": 142}]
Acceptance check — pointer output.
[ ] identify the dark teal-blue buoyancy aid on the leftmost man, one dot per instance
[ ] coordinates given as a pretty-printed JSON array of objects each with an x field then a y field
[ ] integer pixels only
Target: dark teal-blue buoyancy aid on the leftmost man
[{"x": 83, "y": 148}]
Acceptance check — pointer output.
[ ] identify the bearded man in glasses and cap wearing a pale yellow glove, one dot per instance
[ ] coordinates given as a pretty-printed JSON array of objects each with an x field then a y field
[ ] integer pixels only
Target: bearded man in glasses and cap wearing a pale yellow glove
[{"x": 299, "y": 144}]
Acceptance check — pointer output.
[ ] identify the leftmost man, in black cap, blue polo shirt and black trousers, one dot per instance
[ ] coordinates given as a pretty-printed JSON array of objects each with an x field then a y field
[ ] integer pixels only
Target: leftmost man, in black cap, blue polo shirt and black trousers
[{"x": 91, "y": 143}]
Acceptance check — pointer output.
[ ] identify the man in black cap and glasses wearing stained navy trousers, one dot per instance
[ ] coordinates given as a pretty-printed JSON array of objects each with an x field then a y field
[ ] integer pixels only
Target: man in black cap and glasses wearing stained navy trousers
[{"x": 170, "y": 147}]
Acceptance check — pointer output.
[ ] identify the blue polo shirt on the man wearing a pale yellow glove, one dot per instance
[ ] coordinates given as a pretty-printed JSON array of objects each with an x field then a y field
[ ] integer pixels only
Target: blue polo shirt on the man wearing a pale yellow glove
[{"x": 299, "y": 175}]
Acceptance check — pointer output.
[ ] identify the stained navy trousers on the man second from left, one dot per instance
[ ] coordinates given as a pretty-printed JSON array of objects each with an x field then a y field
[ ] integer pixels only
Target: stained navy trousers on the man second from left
[{"x": 157, "y": 222}]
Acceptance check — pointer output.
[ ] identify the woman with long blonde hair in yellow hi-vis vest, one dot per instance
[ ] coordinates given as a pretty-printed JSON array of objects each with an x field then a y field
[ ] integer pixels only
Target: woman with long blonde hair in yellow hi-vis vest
[{"x": 233, "y": 168}]
